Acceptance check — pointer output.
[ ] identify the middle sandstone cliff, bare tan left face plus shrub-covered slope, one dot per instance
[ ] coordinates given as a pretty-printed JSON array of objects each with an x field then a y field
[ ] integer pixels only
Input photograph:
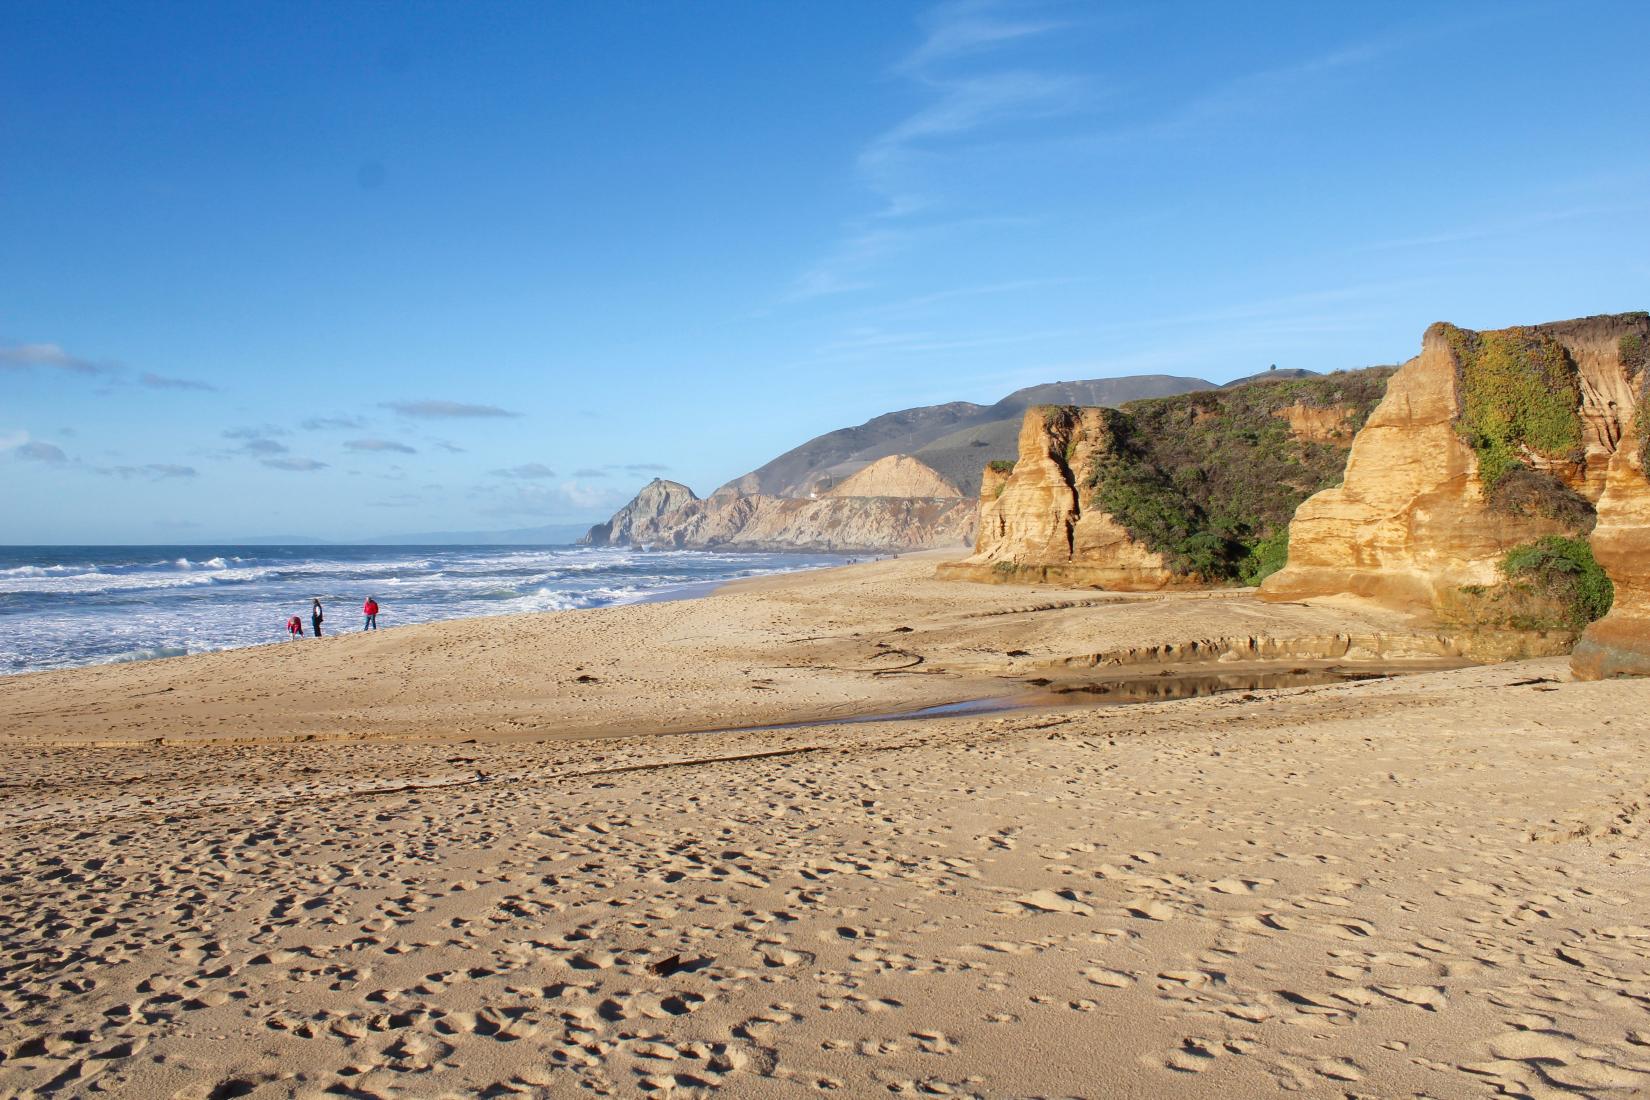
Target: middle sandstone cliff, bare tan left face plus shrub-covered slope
[{"x": 1164, "y": 492}]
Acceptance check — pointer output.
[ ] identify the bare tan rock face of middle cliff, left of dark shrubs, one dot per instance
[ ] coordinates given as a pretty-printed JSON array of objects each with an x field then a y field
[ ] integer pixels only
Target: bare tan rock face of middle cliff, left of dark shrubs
[{"x": 1034, "y": 524}]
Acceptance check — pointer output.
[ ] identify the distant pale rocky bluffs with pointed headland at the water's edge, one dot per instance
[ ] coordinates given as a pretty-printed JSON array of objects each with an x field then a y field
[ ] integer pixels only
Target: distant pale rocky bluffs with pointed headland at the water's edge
[{"x": 892, "y": 505}]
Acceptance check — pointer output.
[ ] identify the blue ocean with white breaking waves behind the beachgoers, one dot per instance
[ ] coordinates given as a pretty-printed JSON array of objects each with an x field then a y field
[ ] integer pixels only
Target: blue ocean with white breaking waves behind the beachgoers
[{"x": 67, "y": 606}]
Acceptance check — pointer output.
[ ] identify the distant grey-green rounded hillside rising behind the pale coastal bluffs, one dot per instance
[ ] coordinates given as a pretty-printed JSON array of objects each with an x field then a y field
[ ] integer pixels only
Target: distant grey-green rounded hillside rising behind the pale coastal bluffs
[{"x": 831, "y": 458}]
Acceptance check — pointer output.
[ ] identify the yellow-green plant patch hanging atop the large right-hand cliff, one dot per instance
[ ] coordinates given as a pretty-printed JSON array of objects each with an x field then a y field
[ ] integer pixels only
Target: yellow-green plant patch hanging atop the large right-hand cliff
[{"x": 1520, "y": 395}]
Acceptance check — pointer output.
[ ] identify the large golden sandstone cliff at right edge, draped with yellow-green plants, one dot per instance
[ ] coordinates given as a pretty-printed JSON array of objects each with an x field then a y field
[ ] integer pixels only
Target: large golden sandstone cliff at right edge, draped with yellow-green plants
[{"x": 1483, "y": 444}]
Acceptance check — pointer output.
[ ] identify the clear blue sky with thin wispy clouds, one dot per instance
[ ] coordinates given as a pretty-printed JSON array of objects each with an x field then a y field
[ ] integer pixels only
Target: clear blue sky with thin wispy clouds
[{"x": 349, "y": 270}]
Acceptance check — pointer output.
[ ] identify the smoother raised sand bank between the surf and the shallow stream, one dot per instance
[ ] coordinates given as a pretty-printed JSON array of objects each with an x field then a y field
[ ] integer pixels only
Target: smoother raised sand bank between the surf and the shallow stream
[{"x": 811, "y": 646}]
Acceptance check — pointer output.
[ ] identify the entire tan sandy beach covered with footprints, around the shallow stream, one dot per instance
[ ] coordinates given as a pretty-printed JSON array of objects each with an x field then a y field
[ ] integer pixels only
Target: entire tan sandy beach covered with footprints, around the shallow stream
[{"x": 502, "y": 857}]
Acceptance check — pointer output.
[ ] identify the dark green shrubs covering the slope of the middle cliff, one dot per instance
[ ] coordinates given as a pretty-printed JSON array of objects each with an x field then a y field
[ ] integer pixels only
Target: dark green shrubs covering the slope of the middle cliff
[{"x": 1212, "y": 479}]
